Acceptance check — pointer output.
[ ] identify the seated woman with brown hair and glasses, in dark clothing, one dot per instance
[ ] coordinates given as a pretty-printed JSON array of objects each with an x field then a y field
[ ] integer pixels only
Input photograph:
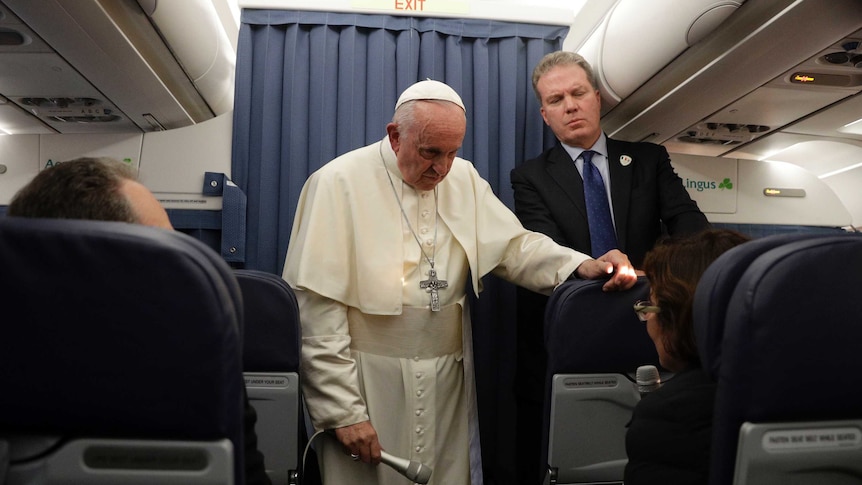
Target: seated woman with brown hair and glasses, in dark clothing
[{"x": 669, "y": 435}]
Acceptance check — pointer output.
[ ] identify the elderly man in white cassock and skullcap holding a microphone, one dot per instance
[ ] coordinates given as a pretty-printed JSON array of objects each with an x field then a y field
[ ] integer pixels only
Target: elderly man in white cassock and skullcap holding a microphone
[{"x": 383, "y": 242}]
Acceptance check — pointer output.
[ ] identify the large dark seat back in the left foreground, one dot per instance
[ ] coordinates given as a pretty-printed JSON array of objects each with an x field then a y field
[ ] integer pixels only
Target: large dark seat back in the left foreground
[{"x": 120, "y": 357}]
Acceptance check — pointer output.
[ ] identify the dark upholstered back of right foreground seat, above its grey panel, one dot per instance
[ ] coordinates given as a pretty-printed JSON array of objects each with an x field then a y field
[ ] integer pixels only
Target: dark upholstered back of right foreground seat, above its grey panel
[{"x": 789, "y": 341}]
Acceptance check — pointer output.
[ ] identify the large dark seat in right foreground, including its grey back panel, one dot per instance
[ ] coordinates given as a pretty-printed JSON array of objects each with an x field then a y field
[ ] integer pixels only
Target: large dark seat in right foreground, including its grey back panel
[{"x": 788, "y": 405}]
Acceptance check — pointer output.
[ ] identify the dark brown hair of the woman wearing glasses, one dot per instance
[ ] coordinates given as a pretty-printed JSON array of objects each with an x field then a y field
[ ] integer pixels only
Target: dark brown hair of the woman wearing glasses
[{"x": 674, "y": 268}]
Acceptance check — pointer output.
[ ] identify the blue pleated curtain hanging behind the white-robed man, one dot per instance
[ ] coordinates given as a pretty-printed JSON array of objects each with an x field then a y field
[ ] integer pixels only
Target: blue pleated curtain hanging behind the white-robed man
[{"x": 311, "y": 86}]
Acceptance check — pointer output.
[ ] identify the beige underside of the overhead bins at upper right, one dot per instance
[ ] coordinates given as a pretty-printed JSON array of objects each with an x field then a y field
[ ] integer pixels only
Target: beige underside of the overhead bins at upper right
[{"x": 707, "y": 87}]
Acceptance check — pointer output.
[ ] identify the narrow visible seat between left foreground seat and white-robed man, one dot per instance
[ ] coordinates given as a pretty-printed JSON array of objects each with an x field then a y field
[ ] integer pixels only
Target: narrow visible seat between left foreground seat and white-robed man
[{"x": 271, "y": 369}]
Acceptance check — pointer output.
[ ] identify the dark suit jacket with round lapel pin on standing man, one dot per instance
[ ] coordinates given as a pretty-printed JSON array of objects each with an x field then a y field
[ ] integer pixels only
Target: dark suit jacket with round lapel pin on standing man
[{"x": 549, "y": 198}]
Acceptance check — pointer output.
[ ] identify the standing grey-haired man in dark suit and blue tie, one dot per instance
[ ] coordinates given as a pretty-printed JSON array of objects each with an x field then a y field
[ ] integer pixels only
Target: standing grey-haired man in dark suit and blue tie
[{"x": 646, "y": 199}]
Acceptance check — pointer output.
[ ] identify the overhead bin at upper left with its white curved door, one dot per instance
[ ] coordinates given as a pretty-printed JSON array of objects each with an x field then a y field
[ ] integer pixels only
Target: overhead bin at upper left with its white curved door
[{"x": 102, "y": 66}]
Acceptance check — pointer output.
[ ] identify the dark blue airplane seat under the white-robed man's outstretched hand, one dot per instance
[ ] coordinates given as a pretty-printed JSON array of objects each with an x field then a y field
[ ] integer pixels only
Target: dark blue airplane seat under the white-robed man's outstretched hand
[{"x": 595, "y": 343}]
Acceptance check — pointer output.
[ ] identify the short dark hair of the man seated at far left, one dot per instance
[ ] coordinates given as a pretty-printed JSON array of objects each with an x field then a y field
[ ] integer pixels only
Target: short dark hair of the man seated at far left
[{"x": 84, "y": 188}]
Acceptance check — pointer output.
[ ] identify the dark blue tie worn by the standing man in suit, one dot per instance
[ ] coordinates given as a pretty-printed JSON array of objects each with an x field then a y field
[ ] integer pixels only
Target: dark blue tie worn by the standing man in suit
[{"x": 602, "y": 235}]
